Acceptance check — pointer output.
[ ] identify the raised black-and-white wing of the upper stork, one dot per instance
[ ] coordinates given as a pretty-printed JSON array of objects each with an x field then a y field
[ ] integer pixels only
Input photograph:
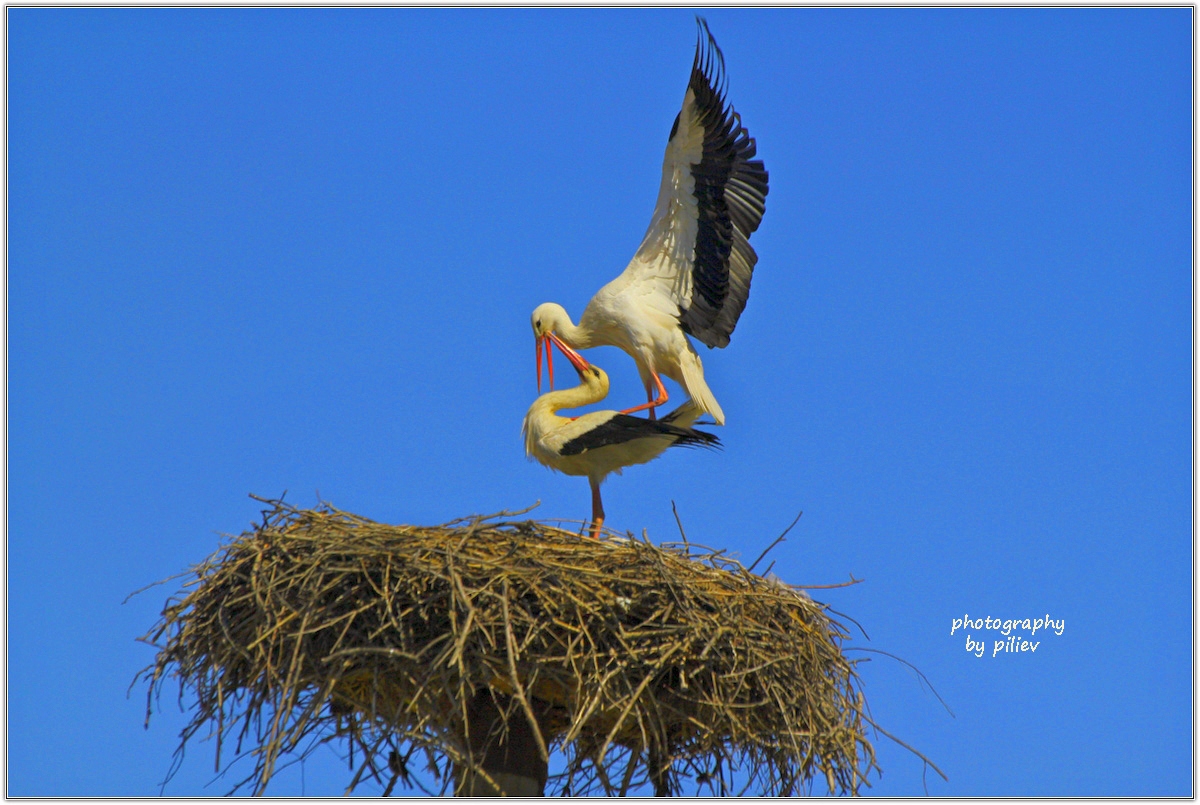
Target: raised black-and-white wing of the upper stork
[{"x": 712, "y": 199}]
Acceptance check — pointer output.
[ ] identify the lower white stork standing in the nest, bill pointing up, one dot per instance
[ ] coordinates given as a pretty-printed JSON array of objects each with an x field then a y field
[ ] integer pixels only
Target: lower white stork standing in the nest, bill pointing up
[{"x": 602, "y": 443}]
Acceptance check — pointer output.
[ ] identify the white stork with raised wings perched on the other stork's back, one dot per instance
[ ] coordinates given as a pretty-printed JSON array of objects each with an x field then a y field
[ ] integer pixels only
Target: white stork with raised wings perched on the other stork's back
[{"x": 692, "y": 274}]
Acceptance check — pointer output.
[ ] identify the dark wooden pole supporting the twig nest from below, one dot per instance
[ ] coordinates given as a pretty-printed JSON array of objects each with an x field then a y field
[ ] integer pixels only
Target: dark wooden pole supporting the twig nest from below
[{"x": 509, "y": 752}]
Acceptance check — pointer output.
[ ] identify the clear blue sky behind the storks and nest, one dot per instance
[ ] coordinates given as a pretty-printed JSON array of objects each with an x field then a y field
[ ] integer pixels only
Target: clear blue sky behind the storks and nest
[{"x": 259, "y": 250}]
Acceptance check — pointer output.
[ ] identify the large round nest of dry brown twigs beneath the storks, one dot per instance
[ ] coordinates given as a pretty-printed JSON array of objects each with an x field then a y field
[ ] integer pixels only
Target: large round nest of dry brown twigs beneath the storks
[{"x": 668, "y": 665}]
